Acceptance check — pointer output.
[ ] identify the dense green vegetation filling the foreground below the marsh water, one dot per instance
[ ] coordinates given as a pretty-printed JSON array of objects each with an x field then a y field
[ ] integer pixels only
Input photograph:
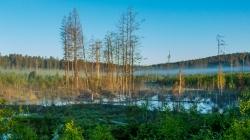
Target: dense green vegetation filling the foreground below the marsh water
[{"x": 100, "y": 122}]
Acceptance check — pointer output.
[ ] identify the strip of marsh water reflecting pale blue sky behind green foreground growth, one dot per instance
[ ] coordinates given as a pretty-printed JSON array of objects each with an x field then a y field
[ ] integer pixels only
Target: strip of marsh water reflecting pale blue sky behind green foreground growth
[{"x": 204, "y": 101}]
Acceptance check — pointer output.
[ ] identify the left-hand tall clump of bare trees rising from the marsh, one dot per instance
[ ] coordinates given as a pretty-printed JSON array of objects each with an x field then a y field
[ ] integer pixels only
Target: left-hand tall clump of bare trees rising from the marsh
[{"x": 72, "y": 36}]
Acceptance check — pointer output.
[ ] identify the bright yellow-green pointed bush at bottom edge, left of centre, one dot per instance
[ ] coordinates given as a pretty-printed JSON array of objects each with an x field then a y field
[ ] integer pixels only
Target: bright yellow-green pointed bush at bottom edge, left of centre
[{"x": 71, "y": 132}]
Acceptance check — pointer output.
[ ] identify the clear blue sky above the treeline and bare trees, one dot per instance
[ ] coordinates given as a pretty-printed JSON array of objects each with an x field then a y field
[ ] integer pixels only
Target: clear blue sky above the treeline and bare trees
[{"x": 186, "y": 28}]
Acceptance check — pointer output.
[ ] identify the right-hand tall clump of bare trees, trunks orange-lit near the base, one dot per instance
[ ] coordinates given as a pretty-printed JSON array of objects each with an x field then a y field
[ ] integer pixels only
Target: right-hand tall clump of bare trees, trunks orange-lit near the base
[{"x": 128, "y": 27}]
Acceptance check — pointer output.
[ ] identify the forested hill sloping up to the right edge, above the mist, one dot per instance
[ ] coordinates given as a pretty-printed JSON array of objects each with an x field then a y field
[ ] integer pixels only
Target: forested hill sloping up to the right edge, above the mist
[{"x": 235, "y": 59}]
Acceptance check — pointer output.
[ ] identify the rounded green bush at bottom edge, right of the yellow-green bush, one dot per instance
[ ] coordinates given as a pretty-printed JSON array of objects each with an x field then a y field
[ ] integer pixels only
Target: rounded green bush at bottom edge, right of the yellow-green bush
[{"x": 101, "y": 132}]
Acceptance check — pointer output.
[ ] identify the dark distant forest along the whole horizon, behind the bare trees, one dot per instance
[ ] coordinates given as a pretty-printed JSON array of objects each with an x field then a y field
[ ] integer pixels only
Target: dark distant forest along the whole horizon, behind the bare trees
[{"x": 18, "y": 61}]
